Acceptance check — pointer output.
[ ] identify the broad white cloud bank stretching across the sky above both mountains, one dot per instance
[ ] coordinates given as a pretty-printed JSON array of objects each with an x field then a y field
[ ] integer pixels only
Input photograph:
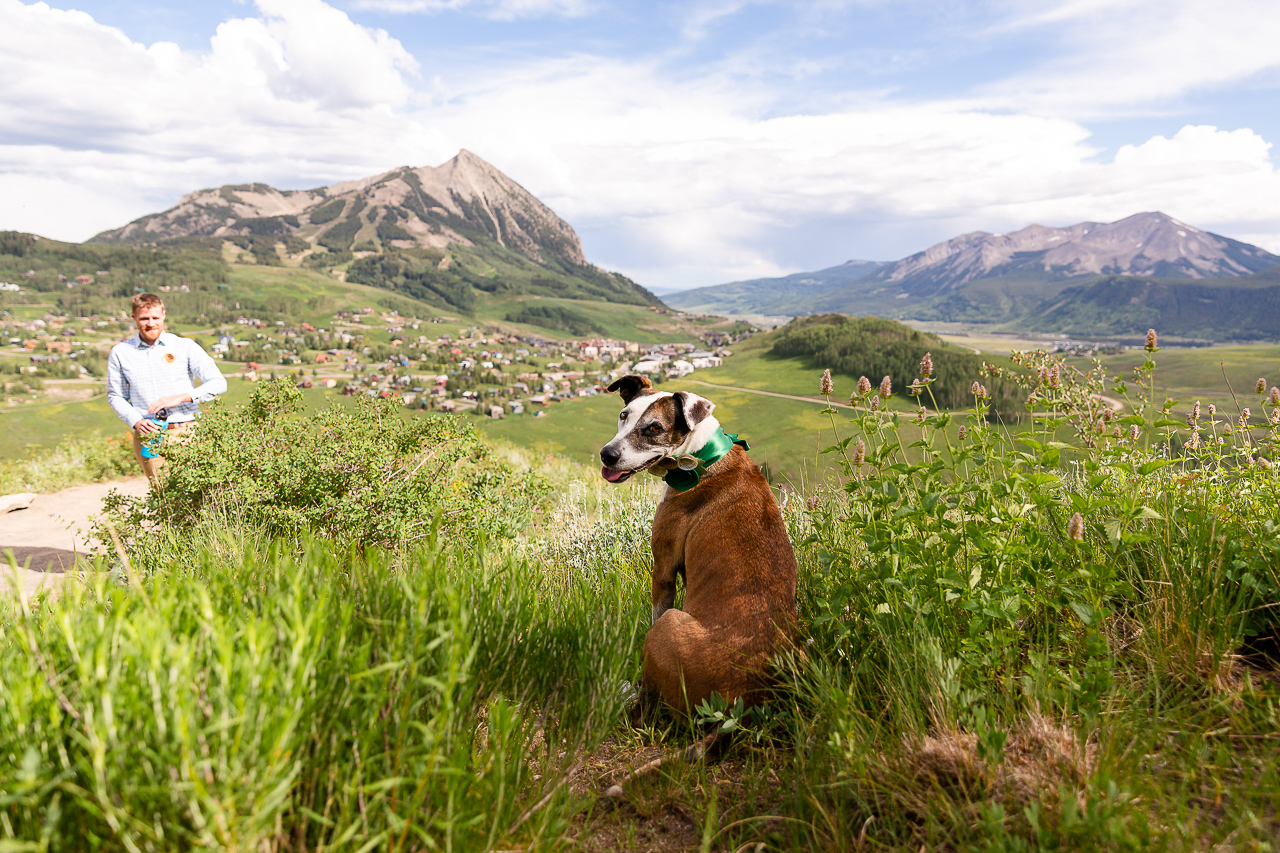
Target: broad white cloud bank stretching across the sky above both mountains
[{"x": 675, "y": 181}]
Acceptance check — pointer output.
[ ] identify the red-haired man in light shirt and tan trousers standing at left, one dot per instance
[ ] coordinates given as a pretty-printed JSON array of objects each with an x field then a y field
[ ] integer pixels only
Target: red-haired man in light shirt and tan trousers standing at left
[{"x": 149, "y": 380}]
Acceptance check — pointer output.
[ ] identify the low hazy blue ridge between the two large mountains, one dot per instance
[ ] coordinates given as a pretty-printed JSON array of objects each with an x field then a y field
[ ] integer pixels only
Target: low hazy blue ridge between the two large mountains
[{"x": 771, "y": 295}]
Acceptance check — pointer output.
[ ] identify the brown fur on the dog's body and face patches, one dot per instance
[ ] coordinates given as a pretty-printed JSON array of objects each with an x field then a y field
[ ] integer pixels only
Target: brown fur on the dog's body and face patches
[{"x": 728, "y": 540}]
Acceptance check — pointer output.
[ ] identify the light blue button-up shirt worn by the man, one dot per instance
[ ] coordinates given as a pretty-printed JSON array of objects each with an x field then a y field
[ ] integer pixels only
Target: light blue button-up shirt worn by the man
[{"x": 139, "y": 375}]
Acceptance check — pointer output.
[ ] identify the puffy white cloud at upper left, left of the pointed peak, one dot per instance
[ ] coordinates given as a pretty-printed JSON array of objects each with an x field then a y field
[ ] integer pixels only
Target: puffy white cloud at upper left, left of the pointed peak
[{"x": 298, "y": 95}]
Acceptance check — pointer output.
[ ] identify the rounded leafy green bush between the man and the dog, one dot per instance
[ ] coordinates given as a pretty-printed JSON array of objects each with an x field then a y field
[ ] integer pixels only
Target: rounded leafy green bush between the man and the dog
[{"x": 362, "y": 476}]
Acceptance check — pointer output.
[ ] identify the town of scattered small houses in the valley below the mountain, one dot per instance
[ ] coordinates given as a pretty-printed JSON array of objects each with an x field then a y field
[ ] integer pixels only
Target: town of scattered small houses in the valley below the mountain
[{"x": 487, "y": 368}]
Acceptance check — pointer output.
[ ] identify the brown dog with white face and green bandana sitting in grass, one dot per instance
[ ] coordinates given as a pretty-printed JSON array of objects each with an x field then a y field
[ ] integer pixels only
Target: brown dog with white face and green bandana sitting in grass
[{"x": 724, "y": 535}]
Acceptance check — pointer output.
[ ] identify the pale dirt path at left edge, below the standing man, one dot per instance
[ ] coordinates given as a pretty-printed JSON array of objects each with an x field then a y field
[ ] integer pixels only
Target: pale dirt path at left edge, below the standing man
[{"x": 47, "y": 537}]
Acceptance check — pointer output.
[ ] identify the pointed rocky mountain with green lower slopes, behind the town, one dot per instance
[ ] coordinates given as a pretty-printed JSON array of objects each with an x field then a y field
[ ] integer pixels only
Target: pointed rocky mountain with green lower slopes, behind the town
[{"x": 438, "y": 232}]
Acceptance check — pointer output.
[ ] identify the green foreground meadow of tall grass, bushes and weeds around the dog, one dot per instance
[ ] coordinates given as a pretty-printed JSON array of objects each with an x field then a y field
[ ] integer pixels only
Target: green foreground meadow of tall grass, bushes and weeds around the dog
[{"x": 1030, "y": 645}]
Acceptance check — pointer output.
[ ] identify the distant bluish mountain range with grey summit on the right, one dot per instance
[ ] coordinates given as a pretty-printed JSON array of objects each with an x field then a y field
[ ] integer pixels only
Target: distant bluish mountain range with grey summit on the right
[{"x": 1086, "y": 280}]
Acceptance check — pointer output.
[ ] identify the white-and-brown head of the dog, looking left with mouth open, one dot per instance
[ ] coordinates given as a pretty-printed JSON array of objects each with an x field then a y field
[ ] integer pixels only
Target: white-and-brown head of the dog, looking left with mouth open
[{"x": 655, "y": 425}]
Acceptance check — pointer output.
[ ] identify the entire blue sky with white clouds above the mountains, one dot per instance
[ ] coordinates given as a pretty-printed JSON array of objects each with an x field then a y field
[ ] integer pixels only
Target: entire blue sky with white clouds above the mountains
[{"x": 688, "y": 144}]
